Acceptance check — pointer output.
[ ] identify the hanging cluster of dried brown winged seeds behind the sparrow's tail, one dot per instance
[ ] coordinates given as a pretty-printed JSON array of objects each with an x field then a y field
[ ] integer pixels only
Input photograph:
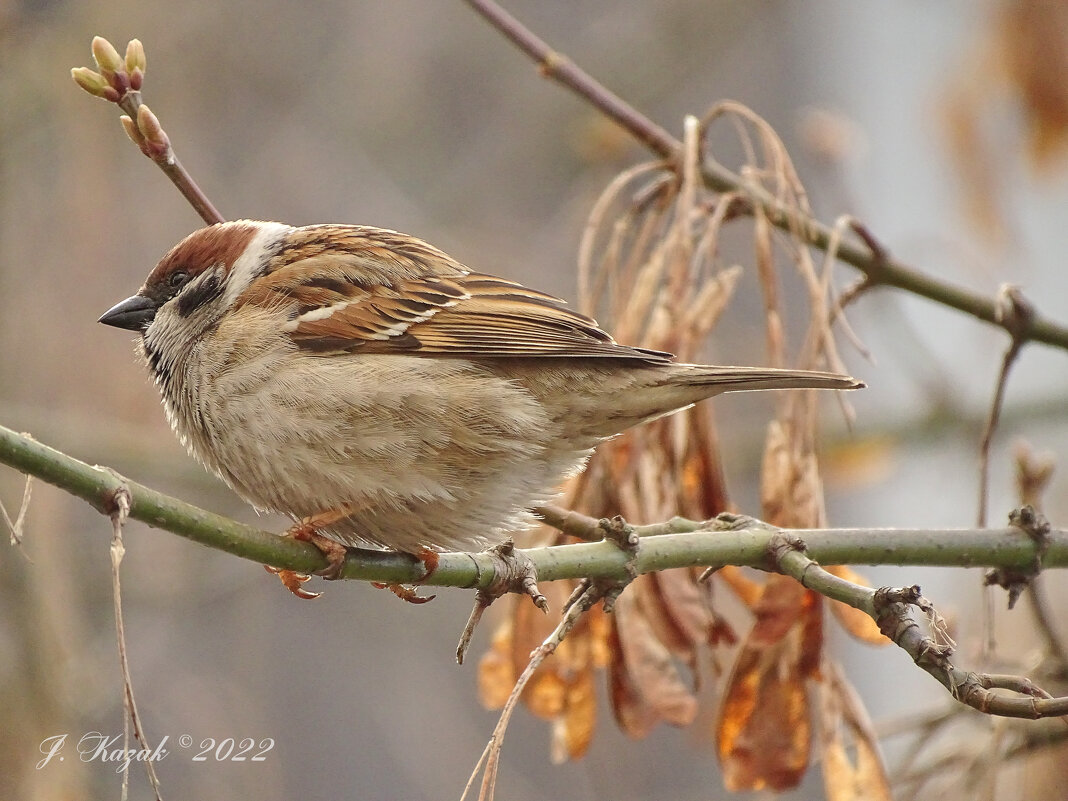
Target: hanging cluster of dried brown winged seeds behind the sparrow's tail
[{"x": 653, "y": 268}]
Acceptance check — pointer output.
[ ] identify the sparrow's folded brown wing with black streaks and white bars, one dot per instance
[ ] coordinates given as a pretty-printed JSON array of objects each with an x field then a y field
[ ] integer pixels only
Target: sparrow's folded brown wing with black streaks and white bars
[{"x": 428, "y": 306}]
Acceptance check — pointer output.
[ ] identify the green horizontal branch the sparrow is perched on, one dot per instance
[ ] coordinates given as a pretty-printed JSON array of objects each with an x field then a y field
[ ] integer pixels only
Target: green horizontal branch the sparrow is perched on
[{"x": 713, "y": 543}]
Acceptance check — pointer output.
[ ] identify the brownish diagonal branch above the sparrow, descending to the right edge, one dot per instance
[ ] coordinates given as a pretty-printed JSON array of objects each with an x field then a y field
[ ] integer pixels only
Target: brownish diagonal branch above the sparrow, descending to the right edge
[{"x": 863, "y": 254}]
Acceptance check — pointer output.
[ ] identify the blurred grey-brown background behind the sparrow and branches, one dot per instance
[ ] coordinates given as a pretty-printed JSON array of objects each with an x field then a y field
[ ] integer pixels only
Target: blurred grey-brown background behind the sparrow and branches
[{"x": 941, "y": 127}]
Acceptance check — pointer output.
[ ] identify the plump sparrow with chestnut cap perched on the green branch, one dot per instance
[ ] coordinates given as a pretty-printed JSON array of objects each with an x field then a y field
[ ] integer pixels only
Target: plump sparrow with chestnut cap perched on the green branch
[{"x": 379, "y": 392}]
